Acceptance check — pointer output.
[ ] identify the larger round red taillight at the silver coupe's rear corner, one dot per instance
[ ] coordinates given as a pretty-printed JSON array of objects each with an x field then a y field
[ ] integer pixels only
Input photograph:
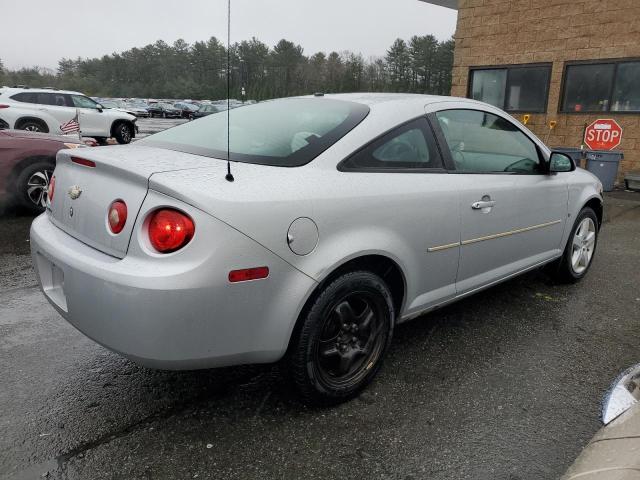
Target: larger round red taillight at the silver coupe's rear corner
[{"x": 170, "y": 230}]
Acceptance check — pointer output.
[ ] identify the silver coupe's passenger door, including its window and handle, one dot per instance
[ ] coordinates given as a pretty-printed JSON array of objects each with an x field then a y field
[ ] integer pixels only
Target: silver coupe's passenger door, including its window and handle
[{"x": 512, "y": 211}]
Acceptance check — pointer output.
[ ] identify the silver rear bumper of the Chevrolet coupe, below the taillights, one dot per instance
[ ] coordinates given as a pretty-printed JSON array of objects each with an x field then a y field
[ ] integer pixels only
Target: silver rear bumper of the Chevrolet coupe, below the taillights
[{"x": 175, "y": 316}]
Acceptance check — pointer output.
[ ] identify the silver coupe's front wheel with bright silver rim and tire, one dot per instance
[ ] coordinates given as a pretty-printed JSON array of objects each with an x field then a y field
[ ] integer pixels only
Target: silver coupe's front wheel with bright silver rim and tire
[{"x": 579, "y": 251}]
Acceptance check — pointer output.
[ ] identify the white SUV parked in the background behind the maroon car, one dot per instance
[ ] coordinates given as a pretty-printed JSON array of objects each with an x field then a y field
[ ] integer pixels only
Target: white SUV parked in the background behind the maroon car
[{"x": 46, "y": 110}]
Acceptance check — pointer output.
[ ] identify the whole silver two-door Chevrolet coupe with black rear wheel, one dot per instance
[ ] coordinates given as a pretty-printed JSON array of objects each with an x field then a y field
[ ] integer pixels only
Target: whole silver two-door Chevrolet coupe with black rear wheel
[{"x": 343, "y": 216}]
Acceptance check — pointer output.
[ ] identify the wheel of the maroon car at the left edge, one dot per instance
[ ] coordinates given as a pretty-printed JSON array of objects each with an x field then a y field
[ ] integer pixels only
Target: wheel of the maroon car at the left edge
[{"x": 32, "y": 183}]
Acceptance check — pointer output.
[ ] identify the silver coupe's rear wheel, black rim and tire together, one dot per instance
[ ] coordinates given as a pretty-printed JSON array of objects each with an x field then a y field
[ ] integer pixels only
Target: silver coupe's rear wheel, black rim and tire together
[{"x": 340, "y": 341}]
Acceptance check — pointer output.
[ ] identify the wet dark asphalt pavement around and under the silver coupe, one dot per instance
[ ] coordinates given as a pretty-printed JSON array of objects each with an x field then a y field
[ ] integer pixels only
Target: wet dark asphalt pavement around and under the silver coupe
[{"x": 504, "y": 385}]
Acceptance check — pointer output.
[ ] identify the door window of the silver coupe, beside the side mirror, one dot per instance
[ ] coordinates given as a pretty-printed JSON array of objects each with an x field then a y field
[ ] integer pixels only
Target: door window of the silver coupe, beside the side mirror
[{"x": 481, "y": 142}]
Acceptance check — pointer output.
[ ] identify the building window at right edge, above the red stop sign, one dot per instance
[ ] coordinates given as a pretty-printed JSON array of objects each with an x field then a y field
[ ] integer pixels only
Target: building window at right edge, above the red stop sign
[{"x": 602, "y": 87}]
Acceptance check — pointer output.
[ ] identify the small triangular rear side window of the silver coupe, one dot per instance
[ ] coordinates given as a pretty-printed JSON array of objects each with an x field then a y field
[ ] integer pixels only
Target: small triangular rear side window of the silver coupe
[{"x": 410, "y": 146}]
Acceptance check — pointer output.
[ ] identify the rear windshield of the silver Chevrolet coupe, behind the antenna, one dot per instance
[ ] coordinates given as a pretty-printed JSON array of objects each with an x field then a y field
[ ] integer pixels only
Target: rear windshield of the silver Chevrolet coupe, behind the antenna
[{"x": 288, "y": 132}]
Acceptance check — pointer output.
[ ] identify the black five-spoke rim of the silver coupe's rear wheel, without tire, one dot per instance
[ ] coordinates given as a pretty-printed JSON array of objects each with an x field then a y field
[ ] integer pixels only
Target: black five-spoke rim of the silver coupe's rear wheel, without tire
[{"x": 352, "y": 339}]
